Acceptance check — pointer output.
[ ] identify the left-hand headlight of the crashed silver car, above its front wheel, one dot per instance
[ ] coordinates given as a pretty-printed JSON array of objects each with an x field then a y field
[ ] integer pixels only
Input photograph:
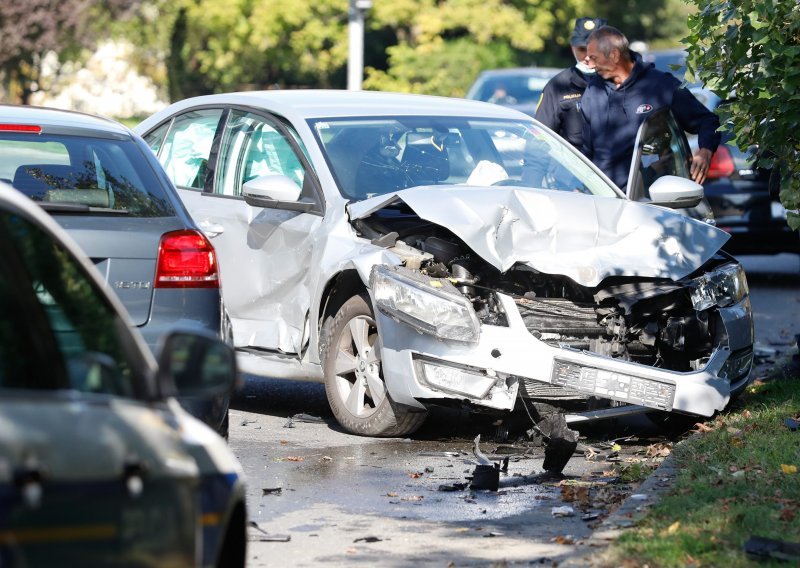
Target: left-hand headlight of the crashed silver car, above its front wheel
[{"x": 430, "y": 305}]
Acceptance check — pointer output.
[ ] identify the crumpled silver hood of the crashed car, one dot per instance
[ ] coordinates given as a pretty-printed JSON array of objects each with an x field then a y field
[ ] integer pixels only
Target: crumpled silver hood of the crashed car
[{"x": 583, "y": 237}]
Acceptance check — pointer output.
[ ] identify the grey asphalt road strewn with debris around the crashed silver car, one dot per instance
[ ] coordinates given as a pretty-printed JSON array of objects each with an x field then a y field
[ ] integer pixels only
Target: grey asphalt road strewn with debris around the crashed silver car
[{"x": 319, "y": 496}]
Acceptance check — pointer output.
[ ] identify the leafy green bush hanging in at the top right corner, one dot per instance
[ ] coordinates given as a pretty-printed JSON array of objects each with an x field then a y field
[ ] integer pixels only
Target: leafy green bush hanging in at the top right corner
[{"x": 750, "y": 48}]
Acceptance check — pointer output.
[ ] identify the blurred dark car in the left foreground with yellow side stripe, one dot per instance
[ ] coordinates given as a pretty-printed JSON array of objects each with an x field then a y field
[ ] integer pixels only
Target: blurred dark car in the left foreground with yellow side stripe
[{"x": 99, "y": 466}]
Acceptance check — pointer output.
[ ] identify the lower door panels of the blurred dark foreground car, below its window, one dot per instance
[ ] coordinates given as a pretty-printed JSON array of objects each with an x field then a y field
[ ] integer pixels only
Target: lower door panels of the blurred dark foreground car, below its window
[{"x": 119, "y": 490}]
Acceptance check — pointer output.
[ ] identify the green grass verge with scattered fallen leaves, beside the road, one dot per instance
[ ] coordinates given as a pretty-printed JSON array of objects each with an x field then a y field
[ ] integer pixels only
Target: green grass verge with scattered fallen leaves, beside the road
[{"x": 739, "y": 477}]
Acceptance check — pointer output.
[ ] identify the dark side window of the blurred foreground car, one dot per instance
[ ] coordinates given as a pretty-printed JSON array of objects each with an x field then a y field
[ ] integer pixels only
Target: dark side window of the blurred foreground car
[{"x": 57, "y": 330}]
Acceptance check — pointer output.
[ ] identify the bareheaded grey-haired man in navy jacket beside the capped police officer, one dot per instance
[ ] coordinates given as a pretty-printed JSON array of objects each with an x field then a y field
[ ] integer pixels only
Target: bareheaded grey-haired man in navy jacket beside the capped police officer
[{"x": 622, "y": 94}]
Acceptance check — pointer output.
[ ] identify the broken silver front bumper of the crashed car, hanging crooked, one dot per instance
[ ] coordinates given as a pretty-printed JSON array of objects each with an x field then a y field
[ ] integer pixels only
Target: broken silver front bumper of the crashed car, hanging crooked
[{"x": 419, "y": 368}]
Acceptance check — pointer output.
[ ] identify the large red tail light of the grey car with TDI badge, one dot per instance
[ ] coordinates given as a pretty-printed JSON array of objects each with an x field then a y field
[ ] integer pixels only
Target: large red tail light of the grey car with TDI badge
[{"x": 186, "y": 260}]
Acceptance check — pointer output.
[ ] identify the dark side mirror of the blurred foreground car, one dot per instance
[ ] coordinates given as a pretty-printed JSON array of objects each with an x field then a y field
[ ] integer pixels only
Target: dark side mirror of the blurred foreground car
[{"x": 198, "y": 364}]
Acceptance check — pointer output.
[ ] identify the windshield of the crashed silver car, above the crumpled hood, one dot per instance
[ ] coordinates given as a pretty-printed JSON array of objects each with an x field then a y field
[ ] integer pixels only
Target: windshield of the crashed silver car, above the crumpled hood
[{"x": 372, "y": 156}]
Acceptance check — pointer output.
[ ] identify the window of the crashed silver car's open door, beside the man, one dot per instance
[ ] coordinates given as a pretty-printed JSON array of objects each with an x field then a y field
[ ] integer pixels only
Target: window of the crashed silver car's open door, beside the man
[{"x": 661, "y": 150}]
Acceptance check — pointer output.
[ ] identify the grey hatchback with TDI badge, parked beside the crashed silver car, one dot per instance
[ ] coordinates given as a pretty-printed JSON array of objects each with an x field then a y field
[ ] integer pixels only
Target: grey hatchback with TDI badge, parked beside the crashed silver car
[{"x": 102, "y": 183}]
